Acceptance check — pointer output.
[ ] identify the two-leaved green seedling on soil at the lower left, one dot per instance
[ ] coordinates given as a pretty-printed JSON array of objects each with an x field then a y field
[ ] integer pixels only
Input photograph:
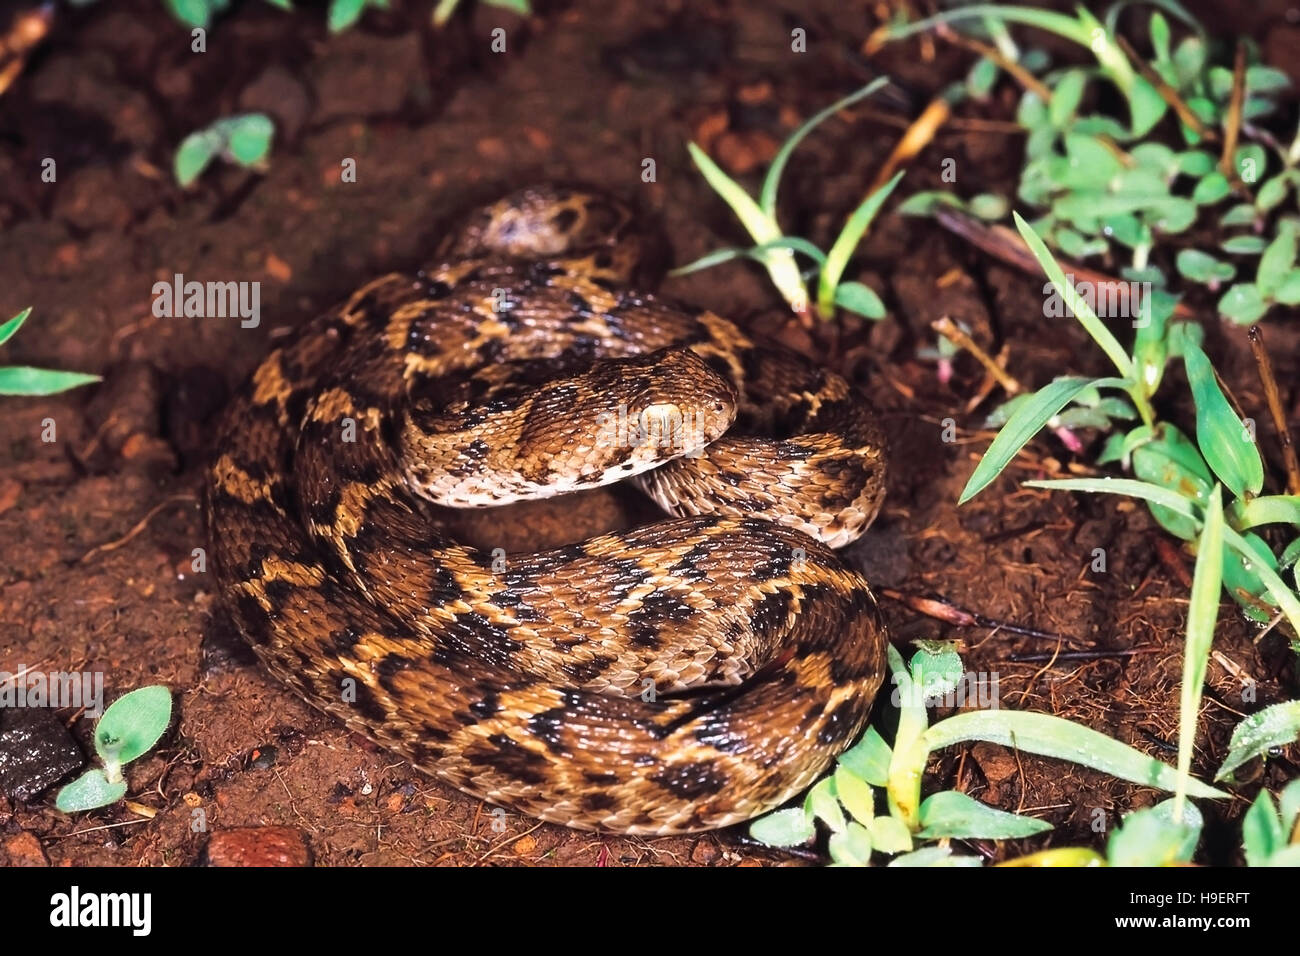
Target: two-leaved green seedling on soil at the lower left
[{"x": 128, "y": 730}]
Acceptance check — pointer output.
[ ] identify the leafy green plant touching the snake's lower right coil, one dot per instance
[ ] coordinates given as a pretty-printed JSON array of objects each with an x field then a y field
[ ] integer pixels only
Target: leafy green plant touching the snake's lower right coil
[{"x": 873, "y": 776}]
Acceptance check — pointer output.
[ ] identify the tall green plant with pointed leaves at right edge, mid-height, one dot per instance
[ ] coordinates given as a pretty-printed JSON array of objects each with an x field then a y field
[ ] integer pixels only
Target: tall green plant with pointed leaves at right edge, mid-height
[{"x": 1176, "y": 477}]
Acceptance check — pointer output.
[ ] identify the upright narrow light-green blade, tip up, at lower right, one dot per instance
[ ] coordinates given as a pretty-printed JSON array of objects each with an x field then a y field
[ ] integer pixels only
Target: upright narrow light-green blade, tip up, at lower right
[{"x": 1202, "y": 620}]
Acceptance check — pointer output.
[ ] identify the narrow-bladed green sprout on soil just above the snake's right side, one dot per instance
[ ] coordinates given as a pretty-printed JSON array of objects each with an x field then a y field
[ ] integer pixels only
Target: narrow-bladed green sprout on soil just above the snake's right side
[{"x": 775, "y": 250}]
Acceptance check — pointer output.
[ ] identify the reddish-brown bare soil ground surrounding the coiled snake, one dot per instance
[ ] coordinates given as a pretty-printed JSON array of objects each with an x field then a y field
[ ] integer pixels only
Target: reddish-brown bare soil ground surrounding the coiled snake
[{"x": 97, "y": 529}]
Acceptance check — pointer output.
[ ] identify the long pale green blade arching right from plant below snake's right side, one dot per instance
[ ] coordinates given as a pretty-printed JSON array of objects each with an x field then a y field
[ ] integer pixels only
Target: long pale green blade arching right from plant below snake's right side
[{"x": 1054, "y": 737}]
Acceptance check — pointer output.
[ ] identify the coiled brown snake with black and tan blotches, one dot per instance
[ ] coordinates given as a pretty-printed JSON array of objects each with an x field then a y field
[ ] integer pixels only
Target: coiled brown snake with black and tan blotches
[{"x": 683, "y": 676}]
